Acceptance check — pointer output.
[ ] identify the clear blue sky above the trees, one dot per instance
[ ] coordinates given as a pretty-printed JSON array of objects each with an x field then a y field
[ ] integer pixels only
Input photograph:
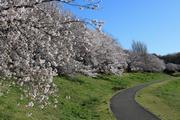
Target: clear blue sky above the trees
[{"x": 154, "y": 22}]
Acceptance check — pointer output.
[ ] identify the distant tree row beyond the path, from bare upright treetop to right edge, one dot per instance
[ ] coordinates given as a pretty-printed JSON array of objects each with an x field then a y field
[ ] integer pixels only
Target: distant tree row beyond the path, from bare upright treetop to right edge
[{"x": 140, "y": 60}]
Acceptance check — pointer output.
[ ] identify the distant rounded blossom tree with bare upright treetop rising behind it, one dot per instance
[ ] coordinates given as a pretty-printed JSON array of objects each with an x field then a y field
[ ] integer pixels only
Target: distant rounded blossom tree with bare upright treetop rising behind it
[{"x": 140, "y": 60}]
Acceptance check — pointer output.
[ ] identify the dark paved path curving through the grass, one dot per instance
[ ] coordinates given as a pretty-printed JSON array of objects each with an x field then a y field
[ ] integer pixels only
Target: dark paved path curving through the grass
[{"x": 124, "y": 106}]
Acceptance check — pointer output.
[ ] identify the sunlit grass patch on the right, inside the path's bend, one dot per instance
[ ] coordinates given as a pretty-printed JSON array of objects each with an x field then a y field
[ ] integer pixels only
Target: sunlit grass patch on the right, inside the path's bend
[{"x": 163, "y": 99}]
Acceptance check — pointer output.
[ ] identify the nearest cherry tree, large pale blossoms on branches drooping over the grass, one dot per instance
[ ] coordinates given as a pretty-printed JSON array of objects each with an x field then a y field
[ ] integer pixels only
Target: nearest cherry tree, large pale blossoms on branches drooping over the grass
[{"x": 35, "y": 38}]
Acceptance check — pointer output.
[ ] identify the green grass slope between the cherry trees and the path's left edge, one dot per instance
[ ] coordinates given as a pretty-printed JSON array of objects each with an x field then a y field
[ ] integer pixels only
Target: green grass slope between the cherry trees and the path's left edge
[{"x": 80, "y": 97}]
